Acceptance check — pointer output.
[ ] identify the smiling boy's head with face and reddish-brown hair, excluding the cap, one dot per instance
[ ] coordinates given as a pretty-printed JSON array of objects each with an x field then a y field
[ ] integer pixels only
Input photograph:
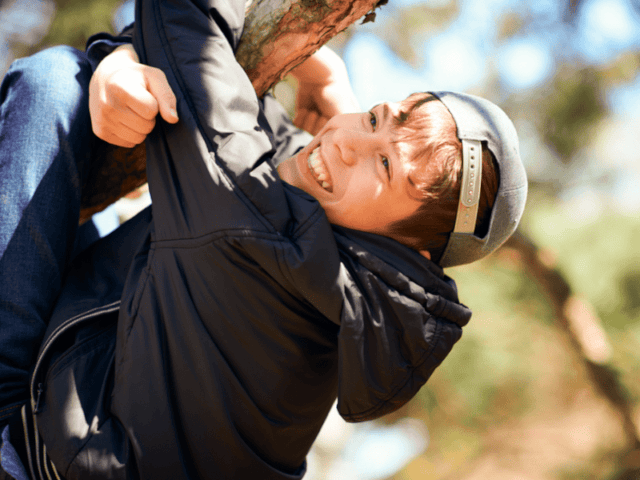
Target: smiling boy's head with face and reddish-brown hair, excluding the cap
[{"x": 392, "y": 171}]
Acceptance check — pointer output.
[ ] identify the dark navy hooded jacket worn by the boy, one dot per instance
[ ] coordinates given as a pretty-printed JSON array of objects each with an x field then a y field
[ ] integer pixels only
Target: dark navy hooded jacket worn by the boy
[{"x": 209, "y": 336}]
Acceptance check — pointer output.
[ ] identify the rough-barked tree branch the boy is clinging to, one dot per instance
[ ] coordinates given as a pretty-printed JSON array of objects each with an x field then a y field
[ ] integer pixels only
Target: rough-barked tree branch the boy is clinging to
[{"x": 278, "y": 35}]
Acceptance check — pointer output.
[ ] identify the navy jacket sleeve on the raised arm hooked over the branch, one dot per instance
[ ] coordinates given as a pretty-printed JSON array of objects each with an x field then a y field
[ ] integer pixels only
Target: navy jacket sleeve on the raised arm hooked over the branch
[{"x": 212, "y": 170}]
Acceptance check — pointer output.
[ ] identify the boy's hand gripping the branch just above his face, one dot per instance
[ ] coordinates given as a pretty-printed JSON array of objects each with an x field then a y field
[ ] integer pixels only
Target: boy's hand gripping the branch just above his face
[{"x": 324, "y": 90}]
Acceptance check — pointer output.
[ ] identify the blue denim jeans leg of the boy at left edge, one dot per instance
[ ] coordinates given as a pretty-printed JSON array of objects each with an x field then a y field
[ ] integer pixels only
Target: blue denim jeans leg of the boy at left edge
[{"x": 45, "y": 147}]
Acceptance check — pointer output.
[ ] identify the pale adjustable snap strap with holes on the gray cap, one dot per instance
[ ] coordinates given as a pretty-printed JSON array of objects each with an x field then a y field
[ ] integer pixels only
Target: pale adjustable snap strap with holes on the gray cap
[{"x": 470, "y": 189}]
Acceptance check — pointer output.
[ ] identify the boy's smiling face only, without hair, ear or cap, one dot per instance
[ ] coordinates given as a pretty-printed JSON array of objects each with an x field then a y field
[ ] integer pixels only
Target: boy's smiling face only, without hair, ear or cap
[{"x": 356, "y": 171}]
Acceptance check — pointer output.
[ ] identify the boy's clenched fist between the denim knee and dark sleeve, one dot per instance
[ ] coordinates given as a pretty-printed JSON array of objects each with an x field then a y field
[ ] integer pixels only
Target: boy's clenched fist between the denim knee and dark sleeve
[{"x": 125, "y": 97}]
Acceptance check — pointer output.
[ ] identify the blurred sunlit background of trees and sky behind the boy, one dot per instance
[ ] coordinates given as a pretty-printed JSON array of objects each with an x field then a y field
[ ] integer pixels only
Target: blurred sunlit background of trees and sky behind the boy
[{"x": 545, "y": 382}]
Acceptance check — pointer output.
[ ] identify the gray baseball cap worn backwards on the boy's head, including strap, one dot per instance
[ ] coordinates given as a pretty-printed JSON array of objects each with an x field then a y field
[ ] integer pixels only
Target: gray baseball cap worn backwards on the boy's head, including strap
[{"x": 478, "y": 120}]
